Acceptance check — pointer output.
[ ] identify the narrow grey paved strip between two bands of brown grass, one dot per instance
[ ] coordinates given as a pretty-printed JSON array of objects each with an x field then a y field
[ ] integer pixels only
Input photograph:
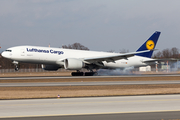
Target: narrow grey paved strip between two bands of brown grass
[{"x": 88, "y": 83}]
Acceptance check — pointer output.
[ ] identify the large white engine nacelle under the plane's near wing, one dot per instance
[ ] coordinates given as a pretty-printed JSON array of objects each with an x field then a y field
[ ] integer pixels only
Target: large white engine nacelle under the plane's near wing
[{"x": 73, "y": 64}]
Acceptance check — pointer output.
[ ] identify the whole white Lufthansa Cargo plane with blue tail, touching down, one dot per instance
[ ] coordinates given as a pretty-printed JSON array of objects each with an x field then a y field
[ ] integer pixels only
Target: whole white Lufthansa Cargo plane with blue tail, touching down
[{"x": 55, "y": 58}]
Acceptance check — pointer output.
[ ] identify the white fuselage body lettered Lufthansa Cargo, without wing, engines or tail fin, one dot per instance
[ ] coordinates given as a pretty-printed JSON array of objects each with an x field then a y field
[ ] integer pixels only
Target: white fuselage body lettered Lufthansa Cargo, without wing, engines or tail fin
[{"x": 55, "y": 56}]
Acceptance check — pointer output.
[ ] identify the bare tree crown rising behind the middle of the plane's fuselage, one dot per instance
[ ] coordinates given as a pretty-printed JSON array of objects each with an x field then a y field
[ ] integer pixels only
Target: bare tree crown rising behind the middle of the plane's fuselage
[{"x": 77, "y": 46}]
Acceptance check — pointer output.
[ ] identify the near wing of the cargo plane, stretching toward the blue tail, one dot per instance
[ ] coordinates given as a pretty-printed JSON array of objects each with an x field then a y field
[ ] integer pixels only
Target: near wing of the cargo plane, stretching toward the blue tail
[{"x": 112, "y": 58}]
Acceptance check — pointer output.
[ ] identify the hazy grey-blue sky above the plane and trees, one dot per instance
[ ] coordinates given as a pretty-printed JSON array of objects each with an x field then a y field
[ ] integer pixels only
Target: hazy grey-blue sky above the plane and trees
[{"x": 100, "y": 25}]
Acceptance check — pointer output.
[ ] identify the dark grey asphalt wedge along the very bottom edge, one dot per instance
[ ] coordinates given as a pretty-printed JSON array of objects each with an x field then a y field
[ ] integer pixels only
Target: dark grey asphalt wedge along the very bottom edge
[{"x": 121, "y": 116}]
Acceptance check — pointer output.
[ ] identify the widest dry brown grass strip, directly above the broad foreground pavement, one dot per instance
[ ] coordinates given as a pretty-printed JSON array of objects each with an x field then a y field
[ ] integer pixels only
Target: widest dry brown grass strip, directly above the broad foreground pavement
[{"x": 86, "y": 91}]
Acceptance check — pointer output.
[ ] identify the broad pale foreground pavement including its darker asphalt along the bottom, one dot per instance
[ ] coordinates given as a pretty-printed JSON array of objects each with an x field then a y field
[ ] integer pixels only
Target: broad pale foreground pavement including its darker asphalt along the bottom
[{"x": 93, "y": 107}]
